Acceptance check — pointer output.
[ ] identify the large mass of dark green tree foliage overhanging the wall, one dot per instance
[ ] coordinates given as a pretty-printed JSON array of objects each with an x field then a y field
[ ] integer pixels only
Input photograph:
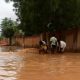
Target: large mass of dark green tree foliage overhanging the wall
[{"x": 34, "y": 15}]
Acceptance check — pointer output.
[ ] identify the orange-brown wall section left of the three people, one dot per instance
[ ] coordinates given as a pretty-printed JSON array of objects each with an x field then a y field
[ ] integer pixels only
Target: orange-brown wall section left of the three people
[{"x": 32, "y": 41}]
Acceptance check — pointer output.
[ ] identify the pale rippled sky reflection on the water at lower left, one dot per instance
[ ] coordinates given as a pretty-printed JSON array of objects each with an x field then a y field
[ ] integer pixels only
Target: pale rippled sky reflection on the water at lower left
[{"x": 9, "y": 66}]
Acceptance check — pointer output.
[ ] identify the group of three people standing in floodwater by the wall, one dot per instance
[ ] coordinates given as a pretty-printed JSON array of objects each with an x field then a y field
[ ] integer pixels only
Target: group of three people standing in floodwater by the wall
[{"x": 56, "y": 45}]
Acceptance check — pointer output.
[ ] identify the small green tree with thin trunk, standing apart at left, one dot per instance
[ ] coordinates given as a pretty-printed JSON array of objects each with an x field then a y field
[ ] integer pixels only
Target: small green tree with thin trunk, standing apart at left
[{"x": 8, "y": 28}]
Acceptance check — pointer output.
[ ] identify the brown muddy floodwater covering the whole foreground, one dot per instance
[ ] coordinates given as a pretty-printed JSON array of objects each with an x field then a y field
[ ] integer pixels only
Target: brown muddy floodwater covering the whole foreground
[{"x": 28, "y": 64}]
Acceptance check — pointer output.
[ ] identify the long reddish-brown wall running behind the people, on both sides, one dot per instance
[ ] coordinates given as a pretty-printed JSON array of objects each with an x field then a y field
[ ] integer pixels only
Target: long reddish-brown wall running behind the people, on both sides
[{"x": 72, "y": 40}]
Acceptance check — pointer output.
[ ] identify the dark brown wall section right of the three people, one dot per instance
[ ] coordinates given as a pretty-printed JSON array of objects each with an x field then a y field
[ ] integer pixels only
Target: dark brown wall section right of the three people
[{"x": 73, "y": 40}]
